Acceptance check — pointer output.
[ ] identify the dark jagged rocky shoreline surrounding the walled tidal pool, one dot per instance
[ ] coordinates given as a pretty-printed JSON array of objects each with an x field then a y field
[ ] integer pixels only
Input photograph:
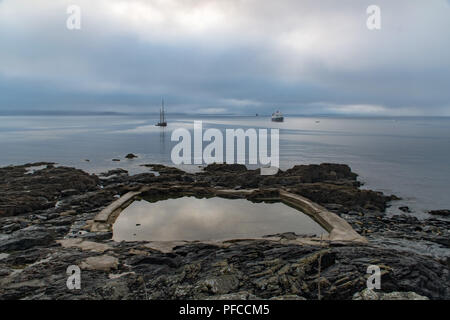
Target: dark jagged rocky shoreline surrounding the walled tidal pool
[{"x": 46, "y": 216}]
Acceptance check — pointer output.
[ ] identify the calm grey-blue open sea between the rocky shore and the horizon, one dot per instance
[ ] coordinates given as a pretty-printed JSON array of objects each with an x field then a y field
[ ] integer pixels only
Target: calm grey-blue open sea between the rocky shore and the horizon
[{"x": 408, "y": 157}]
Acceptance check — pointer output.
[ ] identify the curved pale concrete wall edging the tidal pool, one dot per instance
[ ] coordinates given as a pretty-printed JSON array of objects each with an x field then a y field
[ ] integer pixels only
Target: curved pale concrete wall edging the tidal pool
[{"x": 339, "y": 230}]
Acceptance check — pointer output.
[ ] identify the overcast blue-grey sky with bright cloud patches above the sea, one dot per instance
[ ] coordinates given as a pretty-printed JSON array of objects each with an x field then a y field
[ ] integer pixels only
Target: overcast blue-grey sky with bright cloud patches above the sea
[{"x": 226, "y": 56}]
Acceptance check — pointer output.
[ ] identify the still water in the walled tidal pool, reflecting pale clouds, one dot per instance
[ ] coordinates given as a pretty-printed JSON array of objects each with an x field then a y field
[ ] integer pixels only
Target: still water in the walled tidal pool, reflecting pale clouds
[{"x": 189, "y": 218}]
